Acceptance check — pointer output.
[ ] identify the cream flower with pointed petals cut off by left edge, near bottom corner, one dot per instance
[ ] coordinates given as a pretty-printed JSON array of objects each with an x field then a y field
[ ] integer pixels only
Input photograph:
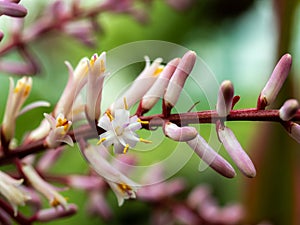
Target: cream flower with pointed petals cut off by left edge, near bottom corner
[{"x": 10, "y": 189}]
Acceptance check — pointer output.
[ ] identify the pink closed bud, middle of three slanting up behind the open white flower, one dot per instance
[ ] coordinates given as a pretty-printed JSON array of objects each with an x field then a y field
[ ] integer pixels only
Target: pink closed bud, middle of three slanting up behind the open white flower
[{"x": 157, "y": 91}]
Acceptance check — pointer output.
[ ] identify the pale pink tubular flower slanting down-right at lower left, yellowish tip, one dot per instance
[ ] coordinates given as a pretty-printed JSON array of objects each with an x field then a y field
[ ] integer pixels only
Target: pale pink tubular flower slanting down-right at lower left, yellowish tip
[{"x": 43, "y": 187}]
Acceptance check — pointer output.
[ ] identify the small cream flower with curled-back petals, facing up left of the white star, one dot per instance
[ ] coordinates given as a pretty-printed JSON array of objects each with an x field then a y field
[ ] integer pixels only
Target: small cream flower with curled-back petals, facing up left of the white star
[{"x": 58, "y": 131}]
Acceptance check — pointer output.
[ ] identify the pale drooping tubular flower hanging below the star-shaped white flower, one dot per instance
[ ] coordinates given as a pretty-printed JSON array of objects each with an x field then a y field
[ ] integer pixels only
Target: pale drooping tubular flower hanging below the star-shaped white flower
[{"x": 123, "y": 187}]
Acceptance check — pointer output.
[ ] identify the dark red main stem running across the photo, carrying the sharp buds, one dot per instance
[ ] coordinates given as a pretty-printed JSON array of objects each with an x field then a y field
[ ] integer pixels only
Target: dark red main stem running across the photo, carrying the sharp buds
[{"x": 209, "y": 116}]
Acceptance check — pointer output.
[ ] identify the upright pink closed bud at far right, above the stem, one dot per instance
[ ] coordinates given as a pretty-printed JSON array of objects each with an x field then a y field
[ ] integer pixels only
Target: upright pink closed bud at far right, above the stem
[{"x": 270, "y": 91}]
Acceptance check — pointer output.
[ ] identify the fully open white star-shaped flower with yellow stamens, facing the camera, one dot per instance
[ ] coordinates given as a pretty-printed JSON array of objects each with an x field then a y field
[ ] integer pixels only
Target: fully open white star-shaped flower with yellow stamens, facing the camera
[{"x": 120, "y": 130}]
